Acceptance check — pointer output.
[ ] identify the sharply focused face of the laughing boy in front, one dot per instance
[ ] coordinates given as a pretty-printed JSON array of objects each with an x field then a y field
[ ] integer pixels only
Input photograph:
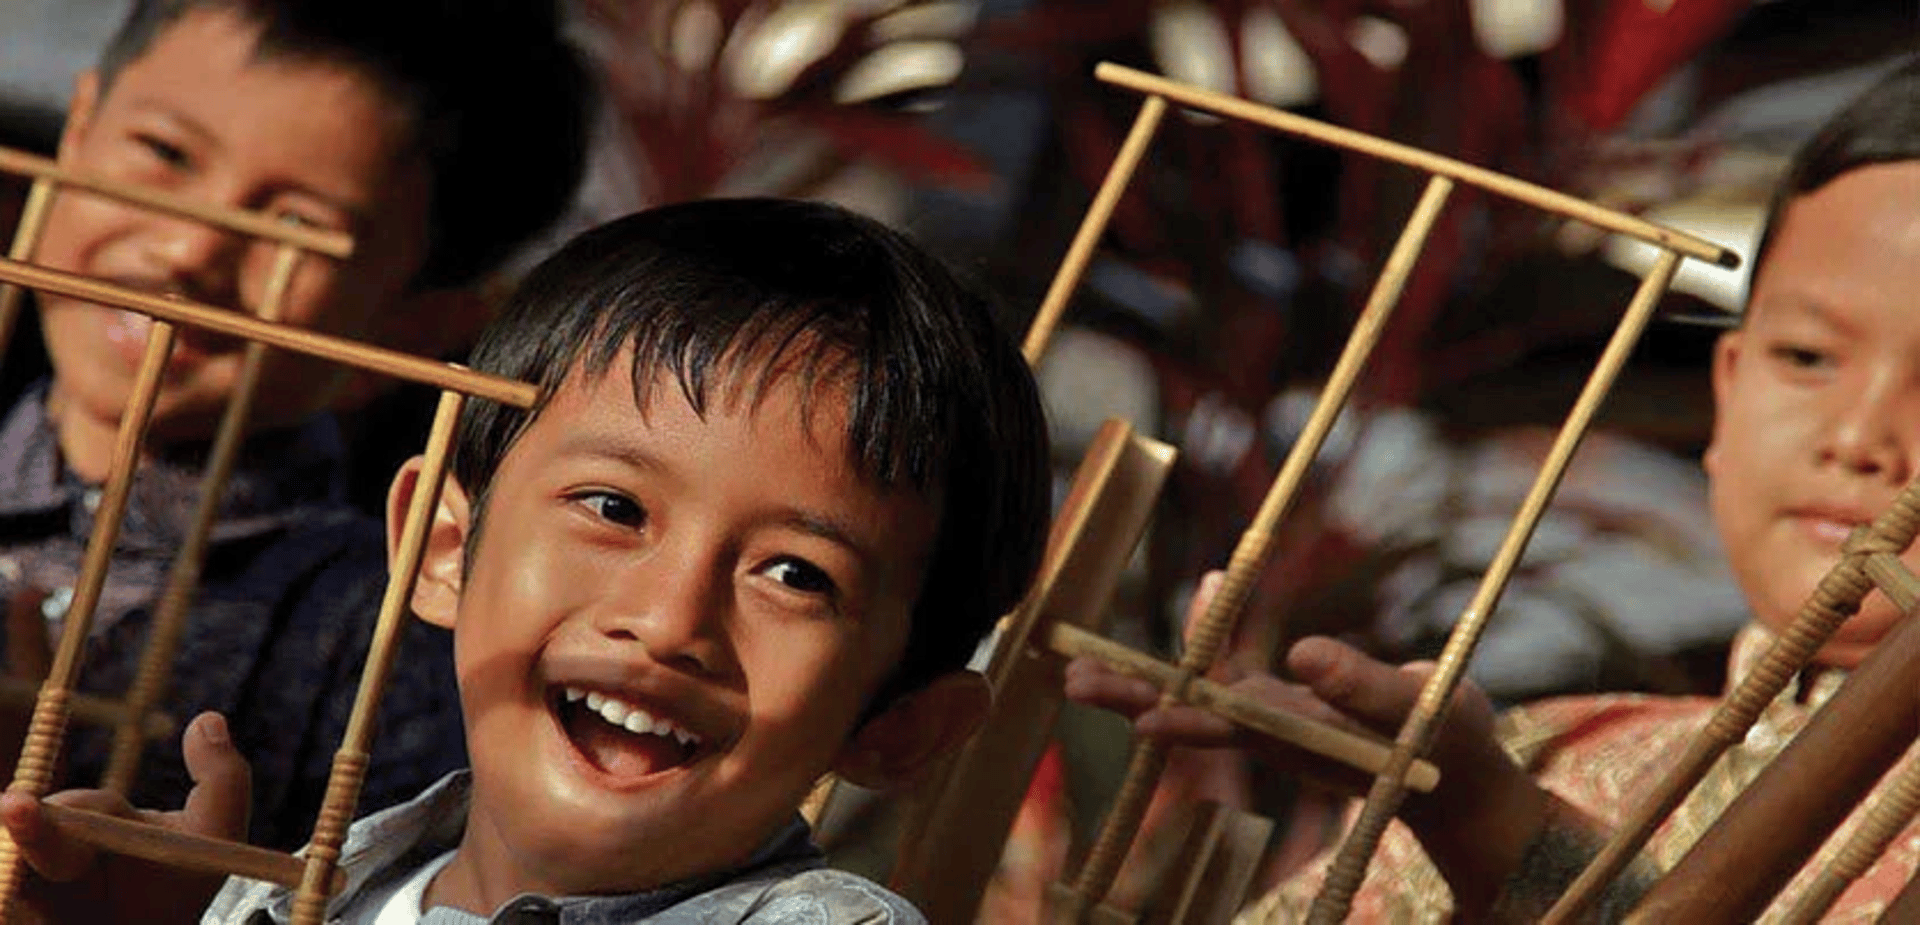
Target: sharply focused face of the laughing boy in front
[{"x": 731, "y": 584}]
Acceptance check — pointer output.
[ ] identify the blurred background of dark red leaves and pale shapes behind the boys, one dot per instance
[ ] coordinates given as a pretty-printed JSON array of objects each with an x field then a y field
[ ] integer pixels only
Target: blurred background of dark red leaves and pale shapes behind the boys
[{"x": 1237, "y": 262}]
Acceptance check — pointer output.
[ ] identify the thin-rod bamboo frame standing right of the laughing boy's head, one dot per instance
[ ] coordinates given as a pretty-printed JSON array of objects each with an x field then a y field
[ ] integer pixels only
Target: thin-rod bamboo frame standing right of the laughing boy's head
[{"x": 1084, "y": 903}]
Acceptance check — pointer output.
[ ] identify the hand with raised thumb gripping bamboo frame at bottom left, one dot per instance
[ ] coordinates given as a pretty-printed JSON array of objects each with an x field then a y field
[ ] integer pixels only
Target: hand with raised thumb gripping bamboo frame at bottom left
[{"x": 78, "y": 884}]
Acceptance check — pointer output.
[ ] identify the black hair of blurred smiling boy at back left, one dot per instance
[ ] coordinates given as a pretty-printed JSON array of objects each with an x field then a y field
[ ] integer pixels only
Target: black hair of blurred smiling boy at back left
[{"x": 500, "y": 103}]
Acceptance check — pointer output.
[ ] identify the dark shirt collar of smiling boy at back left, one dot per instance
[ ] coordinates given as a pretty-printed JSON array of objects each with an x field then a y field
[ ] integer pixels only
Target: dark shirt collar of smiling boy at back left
[{"x": 277, "y": 475}]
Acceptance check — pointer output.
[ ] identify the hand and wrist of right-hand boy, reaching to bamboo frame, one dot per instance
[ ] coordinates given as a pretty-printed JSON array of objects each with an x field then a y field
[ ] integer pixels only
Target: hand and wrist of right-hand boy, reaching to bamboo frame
[{"x": 1481, "y": 822}]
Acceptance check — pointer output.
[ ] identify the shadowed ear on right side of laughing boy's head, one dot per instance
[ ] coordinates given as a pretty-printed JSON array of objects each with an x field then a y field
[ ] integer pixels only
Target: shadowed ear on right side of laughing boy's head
[{"x": 923, "y": 726}]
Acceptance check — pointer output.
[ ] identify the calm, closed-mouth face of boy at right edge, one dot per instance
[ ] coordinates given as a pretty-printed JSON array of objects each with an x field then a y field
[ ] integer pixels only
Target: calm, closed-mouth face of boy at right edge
[{"x": 1819, "y": 396}]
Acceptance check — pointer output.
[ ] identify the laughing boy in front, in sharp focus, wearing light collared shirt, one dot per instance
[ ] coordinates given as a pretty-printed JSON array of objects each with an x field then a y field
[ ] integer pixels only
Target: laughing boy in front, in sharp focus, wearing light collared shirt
[{"x": 782, "y": 479}]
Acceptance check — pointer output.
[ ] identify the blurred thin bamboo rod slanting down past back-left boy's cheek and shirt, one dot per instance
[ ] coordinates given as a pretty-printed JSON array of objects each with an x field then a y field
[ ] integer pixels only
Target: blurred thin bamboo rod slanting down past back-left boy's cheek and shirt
[{"x": 183, "y": 577}]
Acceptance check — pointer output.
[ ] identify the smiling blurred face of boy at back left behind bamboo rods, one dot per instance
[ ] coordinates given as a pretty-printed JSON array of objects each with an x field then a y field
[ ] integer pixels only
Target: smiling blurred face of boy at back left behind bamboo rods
[{"x": 203, "y": 118}]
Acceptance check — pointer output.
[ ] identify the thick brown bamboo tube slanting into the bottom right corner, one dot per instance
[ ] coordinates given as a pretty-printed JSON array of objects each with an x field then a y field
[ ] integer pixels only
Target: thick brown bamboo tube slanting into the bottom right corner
[{"x": 1779, "y": 820}]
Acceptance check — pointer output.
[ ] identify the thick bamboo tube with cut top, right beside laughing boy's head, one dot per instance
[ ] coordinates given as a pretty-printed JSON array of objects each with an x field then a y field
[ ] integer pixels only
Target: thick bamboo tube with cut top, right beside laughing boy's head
[{"x": 957, "y": 830}]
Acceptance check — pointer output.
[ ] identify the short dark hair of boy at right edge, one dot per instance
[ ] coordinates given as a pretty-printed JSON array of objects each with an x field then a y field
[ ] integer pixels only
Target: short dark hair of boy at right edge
[{"x": 1883, "y": 126}]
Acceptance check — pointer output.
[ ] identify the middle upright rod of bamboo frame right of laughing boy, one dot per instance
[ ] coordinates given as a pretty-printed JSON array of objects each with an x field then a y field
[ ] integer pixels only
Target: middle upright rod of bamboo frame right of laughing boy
[{"x": 1251, "y": 556}]
